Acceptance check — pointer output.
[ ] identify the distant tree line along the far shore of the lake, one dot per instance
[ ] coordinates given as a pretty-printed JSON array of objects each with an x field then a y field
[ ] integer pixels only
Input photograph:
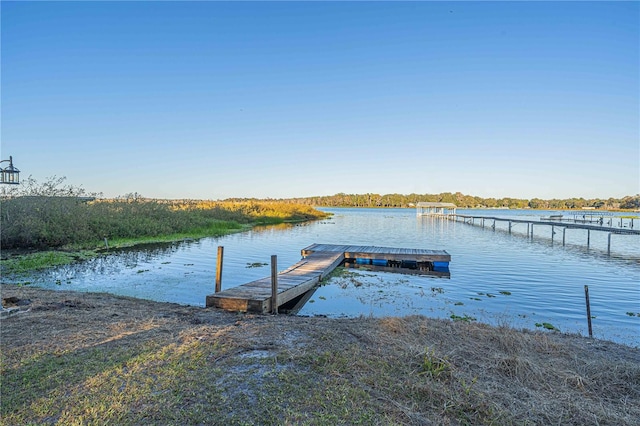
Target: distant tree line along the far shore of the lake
[{"x": 631, "y": 202}]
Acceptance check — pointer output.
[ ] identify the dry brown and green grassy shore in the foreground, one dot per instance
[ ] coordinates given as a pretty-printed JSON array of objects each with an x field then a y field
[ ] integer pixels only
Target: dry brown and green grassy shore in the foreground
[{"x": 75, "y": 358}]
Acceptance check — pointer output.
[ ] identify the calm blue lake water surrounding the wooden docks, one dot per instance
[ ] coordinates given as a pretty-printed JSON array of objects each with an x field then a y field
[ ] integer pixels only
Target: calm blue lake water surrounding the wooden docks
[{"x": 496, "y": 277}]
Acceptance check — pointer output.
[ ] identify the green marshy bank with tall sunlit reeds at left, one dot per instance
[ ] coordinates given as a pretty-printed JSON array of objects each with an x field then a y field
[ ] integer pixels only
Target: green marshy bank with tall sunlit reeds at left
[{"x": 45, "y": 224}]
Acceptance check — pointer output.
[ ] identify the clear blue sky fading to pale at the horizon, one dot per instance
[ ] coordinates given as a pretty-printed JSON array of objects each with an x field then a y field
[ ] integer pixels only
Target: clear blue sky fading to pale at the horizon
[{"x": 281, "y": 99}]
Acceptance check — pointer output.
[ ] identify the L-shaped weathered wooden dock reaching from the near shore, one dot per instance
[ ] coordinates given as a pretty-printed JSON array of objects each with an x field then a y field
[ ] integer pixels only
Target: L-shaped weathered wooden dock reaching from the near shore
[{"x": 318, "y": 261}]
